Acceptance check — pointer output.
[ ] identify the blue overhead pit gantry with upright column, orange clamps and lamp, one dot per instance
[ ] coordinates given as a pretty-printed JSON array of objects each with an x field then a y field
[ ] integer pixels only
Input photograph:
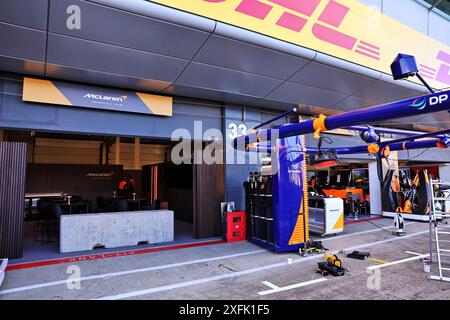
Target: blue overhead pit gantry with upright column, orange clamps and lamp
[{"x": 285, "y": 143}]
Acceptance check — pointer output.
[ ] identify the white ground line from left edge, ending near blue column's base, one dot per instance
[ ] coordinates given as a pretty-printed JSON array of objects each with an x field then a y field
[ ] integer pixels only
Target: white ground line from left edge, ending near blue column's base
[{"x": 121, "y": 273}]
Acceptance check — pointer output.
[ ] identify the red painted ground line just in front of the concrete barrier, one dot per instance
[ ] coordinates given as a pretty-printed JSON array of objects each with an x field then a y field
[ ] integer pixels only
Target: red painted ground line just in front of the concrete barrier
[{"x": 41, "y": 263}]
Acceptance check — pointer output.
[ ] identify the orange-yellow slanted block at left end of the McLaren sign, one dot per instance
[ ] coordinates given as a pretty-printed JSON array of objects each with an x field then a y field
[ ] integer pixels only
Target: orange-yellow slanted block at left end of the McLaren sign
[{"x": 43, "y": 91}]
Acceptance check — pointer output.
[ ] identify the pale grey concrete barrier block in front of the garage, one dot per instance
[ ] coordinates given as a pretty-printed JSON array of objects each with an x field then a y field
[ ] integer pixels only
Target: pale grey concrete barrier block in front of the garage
[{"x": 83, "y": 232}]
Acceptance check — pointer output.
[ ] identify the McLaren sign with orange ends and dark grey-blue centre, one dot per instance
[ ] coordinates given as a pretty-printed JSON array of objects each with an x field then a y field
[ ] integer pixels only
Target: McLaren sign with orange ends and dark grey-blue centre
[{"x": 69, "y": 94}]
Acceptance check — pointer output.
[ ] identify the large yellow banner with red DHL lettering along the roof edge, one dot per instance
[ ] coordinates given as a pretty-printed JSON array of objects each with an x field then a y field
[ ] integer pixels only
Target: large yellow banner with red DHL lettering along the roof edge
[{"x": 346, "y": 29}]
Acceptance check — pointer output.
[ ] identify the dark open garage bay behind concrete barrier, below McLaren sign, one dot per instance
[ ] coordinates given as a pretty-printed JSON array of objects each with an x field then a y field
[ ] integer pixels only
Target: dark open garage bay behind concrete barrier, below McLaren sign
[{"x": 84, "y": 175}]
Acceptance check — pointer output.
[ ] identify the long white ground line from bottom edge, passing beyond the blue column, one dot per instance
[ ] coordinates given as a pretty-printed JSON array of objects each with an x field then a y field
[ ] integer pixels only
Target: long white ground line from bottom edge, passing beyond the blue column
[{"x": 133, "y": 294}]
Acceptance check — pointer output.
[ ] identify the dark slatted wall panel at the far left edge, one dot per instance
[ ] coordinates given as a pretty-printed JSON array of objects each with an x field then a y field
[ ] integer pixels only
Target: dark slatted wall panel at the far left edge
[{"x": 13, "y": 158}]
